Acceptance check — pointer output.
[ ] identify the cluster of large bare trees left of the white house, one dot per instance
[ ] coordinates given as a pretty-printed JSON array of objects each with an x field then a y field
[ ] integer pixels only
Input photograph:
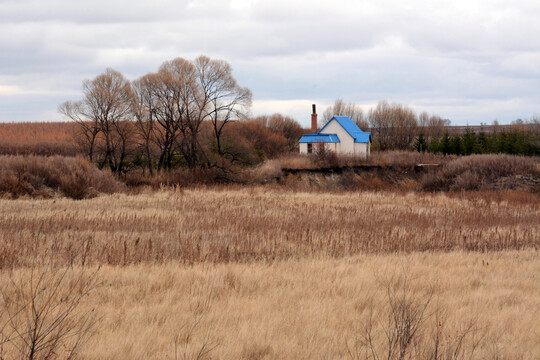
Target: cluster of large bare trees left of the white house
[{"x": 157, "y": 120}]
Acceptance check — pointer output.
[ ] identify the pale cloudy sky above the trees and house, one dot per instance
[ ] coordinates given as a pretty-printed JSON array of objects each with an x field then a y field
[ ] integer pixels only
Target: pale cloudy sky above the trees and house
[{"x": 470, "y": 61}]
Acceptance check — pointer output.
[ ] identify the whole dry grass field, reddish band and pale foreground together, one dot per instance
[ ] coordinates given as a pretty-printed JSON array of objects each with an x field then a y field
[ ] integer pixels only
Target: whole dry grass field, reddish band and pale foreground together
[{"x": 262, "y": 273}]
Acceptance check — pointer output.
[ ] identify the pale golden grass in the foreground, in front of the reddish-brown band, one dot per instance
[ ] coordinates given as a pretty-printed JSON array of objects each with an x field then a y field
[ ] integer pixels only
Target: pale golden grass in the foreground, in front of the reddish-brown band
[{"x": 312, "y": 308}]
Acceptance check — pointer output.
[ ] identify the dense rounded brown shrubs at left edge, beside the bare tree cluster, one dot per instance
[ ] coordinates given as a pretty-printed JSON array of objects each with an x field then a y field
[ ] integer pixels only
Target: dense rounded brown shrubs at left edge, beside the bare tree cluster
[{"x": 46, "y": 176}]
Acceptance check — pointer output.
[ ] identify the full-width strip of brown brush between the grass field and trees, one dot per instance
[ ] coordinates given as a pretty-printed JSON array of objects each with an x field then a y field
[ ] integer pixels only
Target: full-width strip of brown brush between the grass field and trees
[{"x": 77, "y": 178}]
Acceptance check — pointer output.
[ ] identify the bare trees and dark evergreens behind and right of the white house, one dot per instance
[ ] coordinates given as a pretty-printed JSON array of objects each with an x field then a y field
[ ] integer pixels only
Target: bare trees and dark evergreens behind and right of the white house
[{"x": 397, "y": 127}]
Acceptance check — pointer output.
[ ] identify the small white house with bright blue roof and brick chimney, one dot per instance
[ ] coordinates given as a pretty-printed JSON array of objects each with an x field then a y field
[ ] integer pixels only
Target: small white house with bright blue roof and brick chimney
[{"x": 340, "y": 134}]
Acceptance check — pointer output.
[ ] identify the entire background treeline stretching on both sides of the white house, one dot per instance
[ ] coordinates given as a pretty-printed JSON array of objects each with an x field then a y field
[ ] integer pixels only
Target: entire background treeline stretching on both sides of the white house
[{"x": 158, "y": 122}]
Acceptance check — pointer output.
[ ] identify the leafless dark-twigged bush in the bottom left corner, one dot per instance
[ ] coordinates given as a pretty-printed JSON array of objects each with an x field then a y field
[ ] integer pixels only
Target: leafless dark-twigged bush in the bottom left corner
[{"x": 40, "y": 317}]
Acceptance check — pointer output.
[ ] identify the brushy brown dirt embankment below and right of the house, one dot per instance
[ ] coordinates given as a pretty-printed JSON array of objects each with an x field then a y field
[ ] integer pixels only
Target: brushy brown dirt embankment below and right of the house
[{"x": 480, "y": 172}]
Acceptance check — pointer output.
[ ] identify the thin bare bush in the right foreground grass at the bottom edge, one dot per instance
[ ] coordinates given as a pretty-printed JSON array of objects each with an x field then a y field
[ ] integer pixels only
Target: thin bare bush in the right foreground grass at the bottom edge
[{"x": 413, "y": 329}]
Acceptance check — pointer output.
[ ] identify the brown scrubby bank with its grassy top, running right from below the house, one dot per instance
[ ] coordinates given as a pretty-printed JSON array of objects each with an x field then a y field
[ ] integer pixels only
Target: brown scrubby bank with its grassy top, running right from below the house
[{"x": 403, "y": 171}]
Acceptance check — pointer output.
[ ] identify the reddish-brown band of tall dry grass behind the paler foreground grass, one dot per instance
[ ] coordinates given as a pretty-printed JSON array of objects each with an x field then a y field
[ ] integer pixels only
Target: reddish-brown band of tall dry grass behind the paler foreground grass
[{"x": 239, "y": 224}]
